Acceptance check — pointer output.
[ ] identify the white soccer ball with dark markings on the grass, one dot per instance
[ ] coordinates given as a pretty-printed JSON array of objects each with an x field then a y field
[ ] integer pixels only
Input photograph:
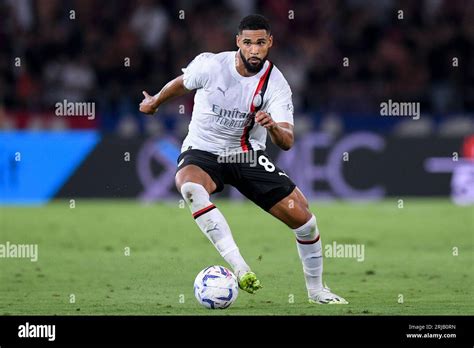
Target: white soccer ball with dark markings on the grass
[{"x": 216, "y": 287}]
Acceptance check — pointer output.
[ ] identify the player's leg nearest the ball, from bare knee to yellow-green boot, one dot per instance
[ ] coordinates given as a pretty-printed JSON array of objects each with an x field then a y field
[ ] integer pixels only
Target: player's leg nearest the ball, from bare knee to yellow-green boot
[{"x": 196, "y": 186}]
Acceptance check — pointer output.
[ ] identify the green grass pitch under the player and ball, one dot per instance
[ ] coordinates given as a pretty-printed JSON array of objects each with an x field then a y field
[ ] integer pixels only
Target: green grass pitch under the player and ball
[{"x": 422, "y": 252}]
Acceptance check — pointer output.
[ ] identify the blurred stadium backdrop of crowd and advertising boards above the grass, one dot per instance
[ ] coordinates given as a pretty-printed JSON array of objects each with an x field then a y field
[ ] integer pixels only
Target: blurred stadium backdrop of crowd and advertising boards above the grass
[{"x": 341, "y": 58}]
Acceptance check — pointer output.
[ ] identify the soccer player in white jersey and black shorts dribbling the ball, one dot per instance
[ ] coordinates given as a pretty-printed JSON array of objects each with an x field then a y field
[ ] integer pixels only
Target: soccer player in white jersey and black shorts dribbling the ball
[{"x": 241, "y": 97}]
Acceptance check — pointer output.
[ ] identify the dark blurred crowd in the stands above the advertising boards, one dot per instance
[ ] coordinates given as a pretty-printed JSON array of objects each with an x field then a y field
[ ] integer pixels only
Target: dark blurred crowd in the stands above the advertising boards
[{"x": 107, "y": 52}]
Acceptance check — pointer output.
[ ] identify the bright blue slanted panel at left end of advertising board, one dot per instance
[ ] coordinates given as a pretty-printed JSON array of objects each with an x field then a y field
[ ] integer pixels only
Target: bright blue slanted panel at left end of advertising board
[{"x": 35, "y": 165}]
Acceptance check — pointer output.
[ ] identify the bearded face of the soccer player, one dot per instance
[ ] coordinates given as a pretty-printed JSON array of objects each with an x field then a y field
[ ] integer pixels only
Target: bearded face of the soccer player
[{"x": 254, "y": 46}]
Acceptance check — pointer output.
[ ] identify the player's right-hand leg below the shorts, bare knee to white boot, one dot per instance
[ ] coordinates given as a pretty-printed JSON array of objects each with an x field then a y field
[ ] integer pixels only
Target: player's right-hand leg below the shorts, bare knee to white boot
[{"x": 294, "y": 211}]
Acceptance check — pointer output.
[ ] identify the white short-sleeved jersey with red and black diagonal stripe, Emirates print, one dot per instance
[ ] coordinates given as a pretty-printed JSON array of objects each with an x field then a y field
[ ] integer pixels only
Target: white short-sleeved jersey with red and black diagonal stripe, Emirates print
[{"x": 225, "y": 103}]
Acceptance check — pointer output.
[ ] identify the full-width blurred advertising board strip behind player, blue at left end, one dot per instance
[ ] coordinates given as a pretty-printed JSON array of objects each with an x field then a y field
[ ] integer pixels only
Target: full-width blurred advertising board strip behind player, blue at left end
[{"x": 38, "y": 166}]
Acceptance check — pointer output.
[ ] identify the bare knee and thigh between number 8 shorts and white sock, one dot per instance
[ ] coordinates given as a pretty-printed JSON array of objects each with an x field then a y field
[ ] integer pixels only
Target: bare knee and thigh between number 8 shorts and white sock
[{"x": 293, "y": 210}]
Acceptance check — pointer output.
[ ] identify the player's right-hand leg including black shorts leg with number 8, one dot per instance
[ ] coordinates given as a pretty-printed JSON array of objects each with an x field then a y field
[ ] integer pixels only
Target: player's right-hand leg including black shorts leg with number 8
[{"x": 271, "y": 189}]
